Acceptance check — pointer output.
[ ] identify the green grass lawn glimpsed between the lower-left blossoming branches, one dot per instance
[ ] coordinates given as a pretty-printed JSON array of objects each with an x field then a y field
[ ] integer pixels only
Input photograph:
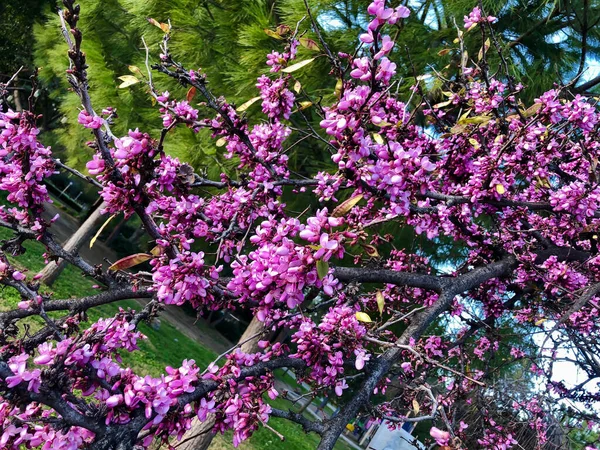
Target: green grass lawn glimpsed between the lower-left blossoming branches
[{"x": 165, "y": 346}]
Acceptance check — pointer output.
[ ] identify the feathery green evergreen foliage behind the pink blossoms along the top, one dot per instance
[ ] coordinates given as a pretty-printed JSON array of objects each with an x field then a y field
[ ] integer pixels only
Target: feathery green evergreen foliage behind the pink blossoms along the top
[{"x": 545, "y": 42}]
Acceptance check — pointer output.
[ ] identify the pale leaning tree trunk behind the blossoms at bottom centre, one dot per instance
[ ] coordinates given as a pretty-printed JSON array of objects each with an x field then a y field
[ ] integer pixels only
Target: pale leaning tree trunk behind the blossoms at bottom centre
[{"x": 201, "y": 434}]
